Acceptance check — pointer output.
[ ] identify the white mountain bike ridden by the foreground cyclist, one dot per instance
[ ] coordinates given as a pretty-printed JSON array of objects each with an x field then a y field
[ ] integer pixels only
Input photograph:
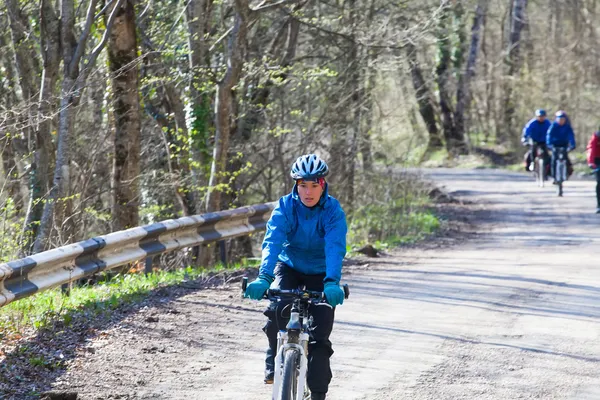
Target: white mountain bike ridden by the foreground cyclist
[{"x": 291, "y": 361}]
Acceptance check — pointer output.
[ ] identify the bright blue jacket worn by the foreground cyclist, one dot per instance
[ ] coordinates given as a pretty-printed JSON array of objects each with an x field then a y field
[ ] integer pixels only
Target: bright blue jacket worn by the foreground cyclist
[{"x": 309, "y": 240}]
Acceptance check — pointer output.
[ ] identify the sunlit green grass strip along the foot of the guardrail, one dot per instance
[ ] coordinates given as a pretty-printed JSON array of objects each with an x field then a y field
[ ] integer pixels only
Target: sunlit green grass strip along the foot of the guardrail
[{"x": 45, "y": 308}]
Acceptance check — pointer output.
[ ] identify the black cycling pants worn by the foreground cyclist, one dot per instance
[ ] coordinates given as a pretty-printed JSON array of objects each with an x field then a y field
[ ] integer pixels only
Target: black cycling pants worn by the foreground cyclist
[{"x": 319, "y": 347}]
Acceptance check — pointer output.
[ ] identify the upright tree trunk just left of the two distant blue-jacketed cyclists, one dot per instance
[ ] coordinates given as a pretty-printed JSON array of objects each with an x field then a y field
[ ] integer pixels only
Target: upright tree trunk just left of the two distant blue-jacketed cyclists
[{"x": 513, "y": 62}]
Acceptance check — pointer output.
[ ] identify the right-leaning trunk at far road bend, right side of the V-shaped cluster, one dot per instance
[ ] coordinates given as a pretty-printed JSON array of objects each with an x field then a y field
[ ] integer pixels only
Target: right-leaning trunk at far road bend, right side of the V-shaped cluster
[{"x": 463, "y": 93}]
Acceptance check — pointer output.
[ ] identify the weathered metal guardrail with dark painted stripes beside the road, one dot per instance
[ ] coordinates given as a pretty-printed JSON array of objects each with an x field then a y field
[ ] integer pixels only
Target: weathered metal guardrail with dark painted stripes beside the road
[{"x": 42, "y": 271}]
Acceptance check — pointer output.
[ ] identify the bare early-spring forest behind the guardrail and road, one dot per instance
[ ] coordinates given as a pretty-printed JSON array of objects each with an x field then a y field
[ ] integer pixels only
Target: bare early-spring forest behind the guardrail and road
[{"x": 119, "y": 113}]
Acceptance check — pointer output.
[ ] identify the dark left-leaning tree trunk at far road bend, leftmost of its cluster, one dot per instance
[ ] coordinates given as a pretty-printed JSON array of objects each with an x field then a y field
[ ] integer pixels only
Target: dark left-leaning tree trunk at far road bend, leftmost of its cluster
[{"x": 425, "y": 100}]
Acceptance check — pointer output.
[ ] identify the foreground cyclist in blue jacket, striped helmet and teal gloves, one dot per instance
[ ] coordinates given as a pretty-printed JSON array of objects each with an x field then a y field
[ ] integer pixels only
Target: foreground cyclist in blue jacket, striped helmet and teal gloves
[{"x": 305, "y": 244}]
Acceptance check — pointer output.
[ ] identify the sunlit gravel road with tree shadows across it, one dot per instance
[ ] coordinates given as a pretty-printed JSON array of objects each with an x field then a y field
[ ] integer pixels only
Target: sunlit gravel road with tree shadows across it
[{"x": 511, "y": 313}]
